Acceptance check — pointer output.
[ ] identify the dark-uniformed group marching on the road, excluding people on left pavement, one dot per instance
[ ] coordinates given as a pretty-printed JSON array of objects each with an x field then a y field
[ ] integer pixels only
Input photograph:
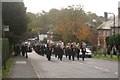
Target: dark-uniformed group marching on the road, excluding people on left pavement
[{"x": 71, "y": 50}]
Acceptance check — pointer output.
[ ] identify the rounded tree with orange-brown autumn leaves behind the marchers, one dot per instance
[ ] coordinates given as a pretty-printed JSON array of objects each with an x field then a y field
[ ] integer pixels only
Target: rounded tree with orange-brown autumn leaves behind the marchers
[{"x": 70, "y": 23}]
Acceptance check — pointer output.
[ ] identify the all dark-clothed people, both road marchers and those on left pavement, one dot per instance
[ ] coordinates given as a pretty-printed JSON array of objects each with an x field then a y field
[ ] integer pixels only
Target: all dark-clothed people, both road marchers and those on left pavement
[{"x": 71, "y": 50}]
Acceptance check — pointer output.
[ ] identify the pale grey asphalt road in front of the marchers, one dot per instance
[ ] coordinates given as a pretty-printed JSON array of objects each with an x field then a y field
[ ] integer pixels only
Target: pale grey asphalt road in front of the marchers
[{"x": 90, "y": 68}]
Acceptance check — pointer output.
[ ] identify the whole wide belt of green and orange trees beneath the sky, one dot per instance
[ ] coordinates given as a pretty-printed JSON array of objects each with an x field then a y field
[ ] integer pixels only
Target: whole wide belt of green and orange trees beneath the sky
[{"x": 71, "y": 23}]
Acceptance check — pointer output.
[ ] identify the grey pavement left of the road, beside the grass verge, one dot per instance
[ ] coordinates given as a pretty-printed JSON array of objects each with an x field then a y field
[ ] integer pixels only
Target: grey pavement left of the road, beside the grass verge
[{"x": 22, "y": 68}]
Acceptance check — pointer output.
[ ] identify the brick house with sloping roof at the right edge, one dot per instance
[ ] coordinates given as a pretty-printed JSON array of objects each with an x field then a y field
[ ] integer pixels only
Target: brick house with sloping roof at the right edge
[{"x": 107, "y": 28}]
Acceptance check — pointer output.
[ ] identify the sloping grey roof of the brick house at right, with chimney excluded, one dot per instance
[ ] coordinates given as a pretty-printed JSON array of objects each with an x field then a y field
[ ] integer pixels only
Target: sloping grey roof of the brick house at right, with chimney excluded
[{"x": 109, "y": 23}]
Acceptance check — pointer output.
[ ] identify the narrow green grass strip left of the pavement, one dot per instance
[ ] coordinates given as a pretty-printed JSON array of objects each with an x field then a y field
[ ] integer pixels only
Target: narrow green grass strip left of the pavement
[{"x": 5, "y": 72}]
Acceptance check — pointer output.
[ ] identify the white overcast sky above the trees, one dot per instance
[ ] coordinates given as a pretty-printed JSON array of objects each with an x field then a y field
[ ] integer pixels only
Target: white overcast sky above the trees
[{"x": 95, "y": 6}]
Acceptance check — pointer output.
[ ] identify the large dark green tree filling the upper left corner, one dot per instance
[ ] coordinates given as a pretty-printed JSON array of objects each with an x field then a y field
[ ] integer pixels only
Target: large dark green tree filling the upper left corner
[{"x": 14, "y": 15}]
